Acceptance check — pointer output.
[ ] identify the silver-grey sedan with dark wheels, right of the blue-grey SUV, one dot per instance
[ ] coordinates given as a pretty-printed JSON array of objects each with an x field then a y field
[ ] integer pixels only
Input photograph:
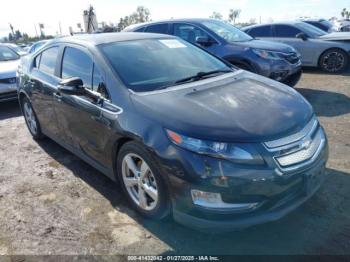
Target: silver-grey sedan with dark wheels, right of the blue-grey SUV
[{"x": 318, "y": 48}]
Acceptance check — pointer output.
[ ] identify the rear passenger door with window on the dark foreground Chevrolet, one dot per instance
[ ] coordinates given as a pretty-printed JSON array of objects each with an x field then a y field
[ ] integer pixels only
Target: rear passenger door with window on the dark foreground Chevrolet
[{"x": 43, "y": 81}]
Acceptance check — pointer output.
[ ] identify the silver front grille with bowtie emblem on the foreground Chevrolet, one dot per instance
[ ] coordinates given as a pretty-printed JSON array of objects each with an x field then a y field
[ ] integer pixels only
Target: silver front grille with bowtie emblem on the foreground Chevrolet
[{"x": 298, "y": 150}]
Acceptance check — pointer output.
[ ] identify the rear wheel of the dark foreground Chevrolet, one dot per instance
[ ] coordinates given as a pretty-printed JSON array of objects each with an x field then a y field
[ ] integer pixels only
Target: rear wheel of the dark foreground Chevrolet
[{"x": 31, "y": 119}]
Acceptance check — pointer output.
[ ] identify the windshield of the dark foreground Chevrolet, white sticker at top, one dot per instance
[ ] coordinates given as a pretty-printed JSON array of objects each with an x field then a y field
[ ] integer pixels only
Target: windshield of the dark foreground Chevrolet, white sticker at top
[{"x": 151, "y": 64}]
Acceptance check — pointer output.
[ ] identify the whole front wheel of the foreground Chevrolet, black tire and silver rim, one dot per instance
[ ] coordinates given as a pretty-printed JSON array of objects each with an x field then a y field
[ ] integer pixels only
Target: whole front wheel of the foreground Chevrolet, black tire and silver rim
[{"x": 149, "y": 181}]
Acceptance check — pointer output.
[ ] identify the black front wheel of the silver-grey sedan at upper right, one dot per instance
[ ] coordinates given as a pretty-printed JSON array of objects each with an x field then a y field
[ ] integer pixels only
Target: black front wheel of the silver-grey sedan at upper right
[{"x": 334, "y": 61}]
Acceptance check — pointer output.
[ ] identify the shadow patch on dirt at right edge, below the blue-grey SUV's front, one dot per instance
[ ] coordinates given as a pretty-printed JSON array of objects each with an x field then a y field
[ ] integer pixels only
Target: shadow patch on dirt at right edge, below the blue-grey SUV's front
[{"x": 326, "y": 103}]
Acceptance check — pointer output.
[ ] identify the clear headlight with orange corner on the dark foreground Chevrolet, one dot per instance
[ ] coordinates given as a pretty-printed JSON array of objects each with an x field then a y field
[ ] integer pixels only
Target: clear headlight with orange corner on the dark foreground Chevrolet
[{"x": 239, "y": 153}]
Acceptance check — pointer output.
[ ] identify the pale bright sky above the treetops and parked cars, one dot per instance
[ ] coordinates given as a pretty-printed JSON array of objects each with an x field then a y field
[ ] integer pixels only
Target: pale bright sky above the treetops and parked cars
[{"x": 25, "y": 15}]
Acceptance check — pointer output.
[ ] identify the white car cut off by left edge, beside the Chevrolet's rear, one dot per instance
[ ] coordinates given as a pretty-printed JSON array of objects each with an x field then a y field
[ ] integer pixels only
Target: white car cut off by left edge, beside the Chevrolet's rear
[{"x": 9, "y": 61}]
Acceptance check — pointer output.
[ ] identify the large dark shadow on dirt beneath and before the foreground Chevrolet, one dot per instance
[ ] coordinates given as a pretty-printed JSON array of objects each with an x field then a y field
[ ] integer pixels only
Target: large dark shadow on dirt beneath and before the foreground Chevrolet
[{"x": 313, "y": 228}]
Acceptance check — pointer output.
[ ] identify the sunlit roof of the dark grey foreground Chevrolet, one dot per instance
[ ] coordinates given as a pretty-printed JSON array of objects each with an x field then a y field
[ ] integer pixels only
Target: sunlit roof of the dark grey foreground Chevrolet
[{"x": 104, "y": 38}]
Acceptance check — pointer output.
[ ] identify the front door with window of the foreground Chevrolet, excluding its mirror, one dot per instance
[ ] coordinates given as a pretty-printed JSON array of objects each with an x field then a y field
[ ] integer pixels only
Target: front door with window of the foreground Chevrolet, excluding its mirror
[{"x": 86, "y": 128}]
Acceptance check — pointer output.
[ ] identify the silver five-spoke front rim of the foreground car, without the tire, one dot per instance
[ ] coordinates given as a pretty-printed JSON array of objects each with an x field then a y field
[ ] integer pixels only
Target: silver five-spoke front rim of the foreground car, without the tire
[{"x": 139, "y": 181}]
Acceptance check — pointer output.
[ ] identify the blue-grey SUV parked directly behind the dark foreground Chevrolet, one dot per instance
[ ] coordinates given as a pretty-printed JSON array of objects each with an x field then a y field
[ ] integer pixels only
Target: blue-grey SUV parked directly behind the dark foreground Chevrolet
[{"x": 276, "y": 61}]
